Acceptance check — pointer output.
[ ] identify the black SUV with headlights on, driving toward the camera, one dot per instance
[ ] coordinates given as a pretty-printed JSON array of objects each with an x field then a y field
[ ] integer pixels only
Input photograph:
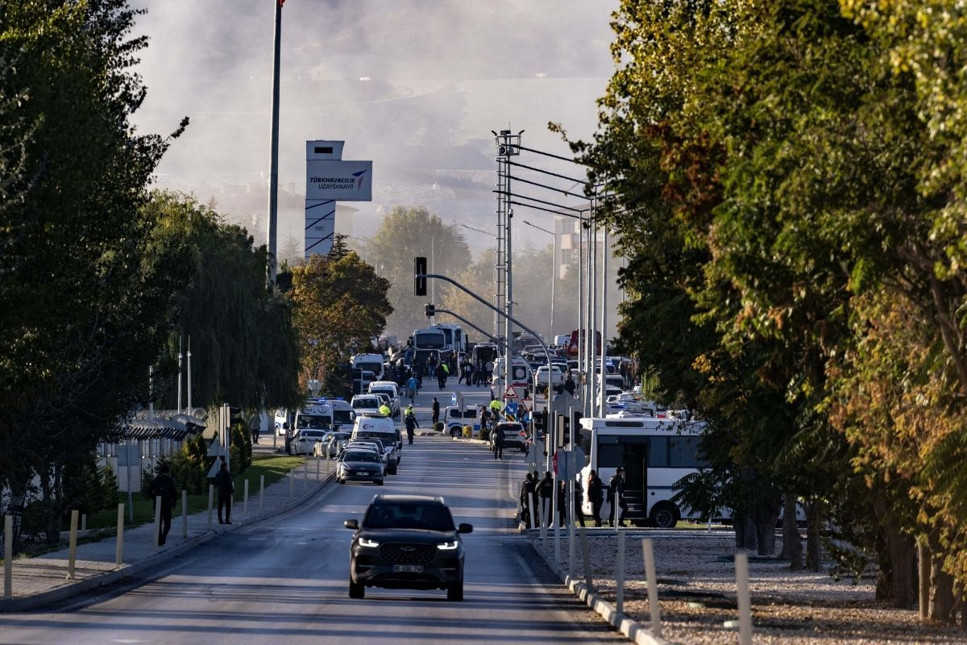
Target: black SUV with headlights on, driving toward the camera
[{"x": 407, "y": 542}]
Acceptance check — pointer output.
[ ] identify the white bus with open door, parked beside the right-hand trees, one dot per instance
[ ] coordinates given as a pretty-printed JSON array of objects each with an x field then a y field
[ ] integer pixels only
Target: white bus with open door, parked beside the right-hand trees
[{"x": 655, "y": 455}]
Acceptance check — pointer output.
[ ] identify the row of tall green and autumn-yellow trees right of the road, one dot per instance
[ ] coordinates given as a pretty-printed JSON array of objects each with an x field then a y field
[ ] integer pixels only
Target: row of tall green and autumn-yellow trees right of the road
[{"x": 788, "y": 179}]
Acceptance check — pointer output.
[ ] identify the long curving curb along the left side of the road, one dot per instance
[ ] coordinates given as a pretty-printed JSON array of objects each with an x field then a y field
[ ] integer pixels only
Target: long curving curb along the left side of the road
[{"x": 139, "y": 569}]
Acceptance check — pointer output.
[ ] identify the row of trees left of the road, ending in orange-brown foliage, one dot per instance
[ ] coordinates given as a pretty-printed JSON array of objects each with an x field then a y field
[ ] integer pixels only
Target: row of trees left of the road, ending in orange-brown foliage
[{"x": 102, "y": 279}]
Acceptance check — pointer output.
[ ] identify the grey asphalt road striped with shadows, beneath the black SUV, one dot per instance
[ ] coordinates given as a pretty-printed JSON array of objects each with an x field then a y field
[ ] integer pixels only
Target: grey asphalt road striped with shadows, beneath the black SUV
[{"x": 286, "y": 580}]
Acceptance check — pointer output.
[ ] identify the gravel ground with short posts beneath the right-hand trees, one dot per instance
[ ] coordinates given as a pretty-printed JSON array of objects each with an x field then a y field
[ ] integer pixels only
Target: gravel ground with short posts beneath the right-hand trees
[{"x": 697, "y": 595}]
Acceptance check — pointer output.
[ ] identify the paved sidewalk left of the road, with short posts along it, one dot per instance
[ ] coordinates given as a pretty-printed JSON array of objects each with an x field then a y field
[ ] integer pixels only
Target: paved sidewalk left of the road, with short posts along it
[{"x": 40, "y": 581}]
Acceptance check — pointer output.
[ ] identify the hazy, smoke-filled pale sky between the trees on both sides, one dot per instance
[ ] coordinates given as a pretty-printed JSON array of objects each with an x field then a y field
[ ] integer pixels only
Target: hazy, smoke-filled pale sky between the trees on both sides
[{"x": 415, "y": 85}]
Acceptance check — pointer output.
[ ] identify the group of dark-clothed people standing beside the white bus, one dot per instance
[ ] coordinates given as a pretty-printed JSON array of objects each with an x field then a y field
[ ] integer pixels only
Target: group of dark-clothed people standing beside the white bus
[{"x": 537, "y": 493}]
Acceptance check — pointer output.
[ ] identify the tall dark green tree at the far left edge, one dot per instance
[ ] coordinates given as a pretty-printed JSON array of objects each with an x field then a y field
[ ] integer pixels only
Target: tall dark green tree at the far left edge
[{"x": 85, "y": 308}]
